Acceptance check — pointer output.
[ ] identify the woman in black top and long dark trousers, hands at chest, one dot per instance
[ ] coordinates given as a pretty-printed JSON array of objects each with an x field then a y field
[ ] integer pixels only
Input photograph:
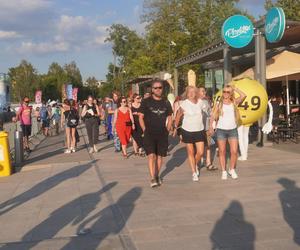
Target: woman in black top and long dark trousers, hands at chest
[{"x": 90, "y": 114}]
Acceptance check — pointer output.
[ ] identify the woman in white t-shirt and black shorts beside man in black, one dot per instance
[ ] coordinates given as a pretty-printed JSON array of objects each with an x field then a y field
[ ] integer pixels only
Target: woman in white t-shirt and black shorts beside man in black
[{"x": 193, "y": 133}]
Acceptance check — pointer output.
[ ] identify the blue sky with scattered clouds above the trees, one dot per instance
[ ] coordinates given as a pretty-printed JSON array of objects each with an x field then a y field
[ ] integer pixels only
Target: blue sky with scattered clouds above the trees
[{"x": 44, "y": 31}]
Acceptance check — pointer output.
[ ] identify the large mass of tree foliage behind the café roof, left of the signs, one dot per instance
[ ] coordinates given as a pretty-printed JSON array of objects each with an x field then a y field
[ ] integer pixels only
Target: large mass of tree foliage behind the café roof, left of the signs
[{"x": 174, "y": 28}]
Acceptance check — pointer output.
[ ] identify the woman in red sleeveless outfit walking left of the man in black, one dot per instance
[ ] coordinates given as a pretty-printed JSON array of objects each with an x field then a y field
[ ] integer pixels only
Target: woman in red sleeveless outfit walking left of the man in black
[{"x": 123, "y": 124}]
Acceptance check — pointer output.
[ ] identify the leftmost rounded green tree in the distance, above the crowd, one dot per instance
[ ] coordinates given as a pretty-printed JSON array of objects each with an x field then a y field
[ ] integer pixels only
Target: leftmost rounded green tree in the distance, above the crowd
[{"x": 24, "y": 79}]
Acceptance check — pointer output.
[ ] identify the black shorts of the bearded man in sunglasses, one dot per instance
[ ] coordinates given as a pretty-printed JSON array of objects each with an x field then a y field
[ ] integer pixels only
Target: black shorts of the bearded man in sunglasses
[{"x": 156, "y": 144}]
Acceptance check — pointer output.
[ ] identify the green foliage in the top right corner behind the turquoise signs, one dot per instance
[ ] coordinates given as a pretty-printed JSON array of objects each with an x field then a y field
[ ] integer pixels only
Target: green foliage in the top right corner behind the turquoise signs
[{"x": 291, "y": 8}]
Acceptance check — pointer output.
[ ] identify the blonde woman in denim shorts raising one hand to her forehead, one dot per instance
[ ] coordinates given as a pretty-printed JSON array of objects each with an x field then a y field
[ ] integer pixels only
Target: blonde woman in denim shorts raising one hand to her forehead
[{"x": 227, "y": 118}]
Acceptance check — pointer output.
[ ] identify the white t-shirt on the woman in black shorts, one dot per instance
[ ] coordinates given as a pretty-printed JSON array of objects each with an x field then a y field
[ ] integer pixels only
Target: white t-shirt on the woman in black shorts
[{"x": 192, "y": 115}]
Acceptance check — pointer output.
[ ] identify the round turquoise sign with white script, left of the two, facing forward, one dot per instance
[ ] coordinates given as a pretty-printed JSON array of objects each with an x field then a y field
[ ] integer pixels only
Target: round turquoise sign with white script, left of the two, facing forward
[{"x": 237, "y": 31}]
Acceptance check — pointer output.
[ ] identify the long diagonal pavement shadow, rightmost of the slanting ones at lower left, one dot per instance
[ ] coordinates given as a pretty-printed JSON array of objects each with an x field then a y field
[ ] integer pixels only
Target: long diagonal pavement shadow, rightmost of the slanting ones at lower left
[{"x": 106, "y": 222}]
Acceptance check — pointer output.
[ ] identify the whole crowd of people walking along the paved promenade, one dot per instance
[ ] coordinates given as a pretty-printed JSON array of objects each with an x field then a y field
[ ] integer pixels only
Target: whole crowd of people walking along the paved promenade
[{"x": 148, "y": 122}]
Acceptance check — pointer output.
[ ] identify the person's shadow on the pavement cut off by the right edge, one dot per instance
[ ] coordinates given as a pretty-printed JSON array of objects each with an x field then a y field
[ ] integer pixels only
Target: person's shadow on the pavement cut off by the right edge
[{"x": 290, "y": 202}]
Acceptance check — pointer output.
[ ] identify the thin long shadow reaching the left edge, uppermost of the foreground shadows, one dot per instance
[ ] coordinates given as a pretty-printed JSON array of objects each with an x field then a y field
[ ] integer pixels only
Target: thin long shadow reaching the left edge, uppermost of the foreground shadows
[{"x": 43, "y": 186}]
